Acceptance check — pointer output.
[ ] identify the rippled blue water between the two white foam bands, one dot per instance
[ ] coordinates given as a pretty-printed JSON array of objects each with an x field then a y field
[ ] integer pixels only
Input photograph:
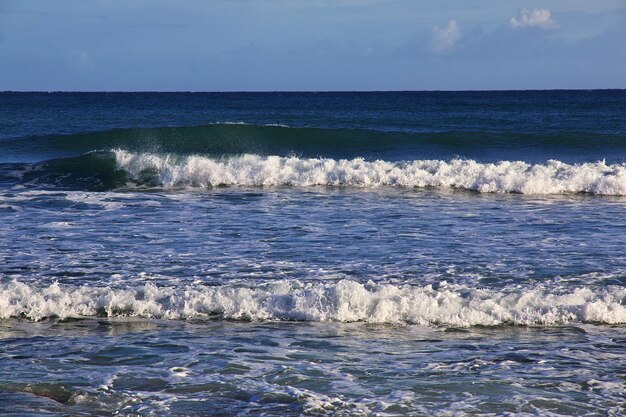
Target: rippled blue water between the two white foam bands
[{"x": 234, "y": 235}]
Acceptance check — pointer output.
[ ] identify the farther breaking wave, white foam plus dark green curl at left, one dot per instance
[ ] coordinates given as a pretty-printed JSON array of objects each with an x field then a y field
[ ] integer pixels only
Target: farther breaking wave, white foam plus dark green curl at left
[{"x": 116, "y": 169}]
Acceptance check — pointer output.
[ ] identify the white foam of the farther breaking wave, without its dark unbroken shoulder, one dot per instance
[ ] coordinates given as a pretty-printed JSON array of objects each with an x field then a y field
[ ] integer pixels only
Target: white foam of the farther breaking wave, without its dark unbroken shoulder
[{"x": 552, "y": 177}]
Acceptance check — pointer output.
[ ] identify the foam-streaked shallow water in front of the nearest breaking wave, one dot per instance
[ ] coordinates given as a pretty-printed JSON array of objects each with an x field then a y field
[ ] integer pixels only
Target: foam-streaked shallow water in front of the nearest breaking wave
[{"x": 94, "y": 367}]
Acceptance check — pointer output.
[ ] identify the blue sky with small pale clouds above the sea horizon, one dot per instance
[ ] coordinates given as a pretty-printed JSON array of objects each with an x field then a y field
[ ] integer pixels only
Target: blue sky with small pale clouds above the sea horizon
[{"x": 311, "y": 45}]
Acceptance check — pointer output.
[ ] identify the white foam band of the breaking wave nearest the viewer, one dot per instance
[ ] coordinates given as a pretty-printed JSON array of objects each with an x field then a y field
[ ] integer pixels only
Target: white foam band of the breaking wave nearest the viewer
[{"x": 343, "y": 301}]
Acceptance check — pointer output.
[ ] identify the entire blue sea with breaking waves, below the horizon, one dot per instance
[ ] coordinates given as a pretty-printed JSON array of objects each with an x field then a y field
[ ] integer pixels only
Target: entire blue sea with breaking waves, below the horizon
[{"x": 317, "y": 254}]
